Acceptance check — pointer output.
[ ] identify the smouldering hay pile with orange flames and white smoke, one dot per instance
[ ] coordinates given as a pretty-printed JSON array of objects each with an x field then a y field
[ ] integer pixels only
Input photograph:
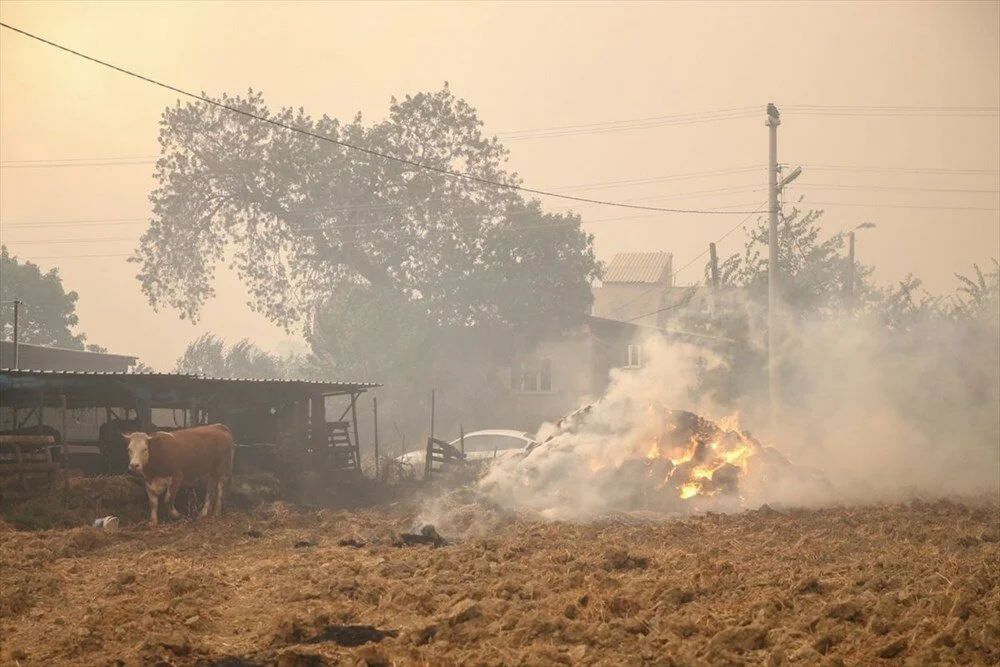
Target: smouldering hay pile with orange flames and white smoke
[{"x": 622, "y": 457}]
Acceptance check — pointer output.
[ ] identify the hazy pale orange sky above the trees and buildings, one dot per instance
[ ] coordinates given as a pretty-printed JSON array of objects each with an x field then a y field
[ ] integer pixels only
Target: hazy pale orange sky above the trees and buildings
[{"x": 526, "y": 67}]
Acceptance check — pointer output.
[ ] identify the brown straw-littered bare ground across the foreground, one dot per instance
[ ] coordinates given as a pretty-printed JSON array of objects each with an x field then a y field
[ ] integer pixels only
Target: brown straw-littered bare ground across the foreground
[{"x": 914, "y": 583}]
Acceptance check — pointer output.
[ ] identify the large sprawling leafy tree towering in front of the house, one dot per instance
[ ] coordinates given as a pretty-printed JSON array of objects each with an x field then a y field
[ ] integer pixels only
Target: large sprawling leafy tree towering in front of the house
[{"x": 394, "y": 273}]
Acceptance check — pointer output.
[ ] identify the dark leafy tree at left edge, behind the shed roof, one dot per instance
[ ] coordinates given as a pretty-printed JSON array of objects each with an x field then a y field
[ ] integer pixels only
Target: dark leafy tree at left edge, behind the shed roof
[{"x": 48, "y": 315}]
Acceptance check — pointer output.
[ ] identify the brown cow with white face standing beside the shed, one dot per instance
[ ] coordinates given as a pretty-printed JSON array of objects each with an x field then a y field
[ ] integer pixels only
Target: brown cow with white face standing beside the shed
[{"x": 166, "y": 459}]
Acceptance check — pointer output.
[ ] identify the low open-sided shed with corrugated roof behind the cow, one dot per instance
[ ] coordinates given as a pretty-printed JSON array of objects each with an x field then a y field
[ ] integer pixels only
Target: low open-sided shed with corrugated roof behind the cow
[{"x": 279, "y": 425}]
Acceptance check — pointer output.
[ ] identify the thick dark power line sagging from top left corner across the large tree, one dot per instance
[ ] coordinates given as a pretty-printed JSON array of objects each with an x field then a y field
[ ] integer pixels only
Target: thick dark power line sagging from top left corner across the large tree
[{"x": 367, "y": 151}]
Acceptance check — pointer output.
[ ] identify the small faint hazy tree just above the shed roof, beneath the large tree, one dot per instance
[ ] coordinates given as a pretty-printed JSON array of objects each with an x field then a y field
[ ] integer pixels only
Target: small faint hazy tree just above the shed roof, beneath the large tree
[{"x": 208, "y": 355}]
